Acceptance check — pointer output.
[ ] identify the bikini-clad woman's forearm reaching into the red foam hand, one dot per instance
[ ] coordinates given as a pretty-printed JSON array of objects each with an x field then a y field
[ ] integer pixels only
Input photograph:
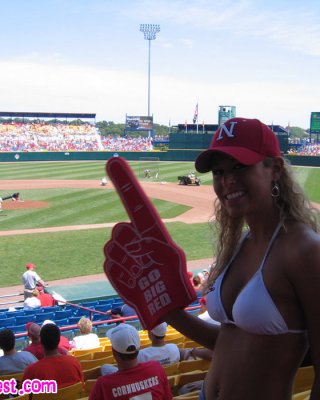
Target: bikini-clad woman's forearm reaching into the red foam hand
[{"x": 194, "y": 328}]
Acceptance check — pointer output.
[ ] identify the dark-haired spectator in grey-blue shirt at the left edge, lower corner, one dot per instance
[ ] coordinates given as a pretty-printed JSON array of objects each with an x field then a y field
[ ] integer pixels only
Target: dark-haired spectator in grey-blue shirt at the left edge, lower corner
[{"x": 12, "y": 361}]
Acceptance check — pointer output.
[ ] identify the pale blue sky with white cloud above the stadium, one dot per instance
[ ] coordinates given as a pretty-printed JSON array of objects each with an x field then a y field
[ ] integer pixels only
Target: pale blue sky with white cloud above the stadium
[{"x": 89, "y": 56}]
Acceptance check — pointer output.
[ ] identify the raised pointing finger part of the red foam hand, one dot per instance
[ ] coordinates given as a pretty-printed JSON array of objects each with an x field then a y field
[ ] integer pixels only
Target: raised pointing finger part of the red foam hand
[{"x": 141, "y": 211}]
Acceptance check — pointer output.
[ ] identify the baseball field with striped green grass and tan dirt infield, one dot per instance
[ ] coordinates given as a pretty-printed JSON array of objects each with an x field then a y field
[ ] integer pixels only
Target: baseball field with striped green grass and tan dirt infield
[{"x": 65, "y": 217}]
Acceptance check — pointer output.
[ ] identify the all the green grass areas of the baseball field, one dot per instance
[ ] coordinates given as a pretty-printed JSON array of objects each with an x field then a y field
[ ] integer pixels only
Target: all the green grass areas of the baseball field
[{"x": 66, "y": 254}]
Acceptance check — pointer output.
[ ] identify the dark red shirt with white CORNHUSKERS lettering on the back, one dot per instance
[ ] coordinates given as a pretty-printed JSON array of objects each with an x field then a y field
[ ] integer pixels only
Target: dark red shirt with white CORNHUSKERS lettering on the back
[{"x": 147, "y": 379}]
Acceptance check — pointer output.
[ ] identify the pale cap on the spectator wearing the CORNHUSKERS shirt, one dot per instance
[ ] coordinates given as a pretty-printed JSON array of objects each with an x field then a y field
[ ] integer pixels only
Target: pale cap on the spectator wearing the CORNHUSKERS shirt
[{"x": 124, "y": 339}]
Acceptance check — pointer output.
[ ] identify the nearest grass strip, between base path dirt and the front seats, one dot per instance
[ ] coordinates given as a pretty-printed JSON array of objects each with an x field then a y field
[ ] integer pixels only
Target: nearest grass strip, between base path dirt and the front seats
[{"x": 61, "y": 255}]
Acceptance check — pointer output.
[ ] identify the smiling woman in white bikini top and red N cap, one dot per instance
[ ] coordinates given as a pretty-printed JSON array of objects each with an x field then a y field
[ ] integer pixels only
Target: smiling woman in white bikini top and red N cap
[{"x": 264, "y": 288}]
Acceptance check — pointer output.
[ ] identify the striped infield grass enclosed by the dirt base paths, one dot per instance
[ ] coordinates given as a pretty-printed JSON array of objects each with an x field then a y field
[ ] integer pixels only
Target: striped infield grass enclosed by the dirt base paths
[{"x": 76, "y": 207}]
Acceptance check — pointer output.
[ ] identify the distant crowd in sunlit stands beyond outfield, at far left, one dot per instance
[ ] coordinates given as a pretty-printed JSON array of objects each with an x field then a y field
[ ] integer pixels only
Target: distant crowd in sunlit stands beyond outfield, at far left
[{"x": 40, "y": 136}]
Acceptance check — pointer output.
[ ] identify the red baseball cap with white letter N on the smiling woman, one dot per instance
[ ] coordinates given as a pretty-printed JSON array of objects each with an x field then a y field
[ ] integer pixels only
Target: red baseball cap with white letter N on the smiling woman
[{"x": 247, "y": 140}]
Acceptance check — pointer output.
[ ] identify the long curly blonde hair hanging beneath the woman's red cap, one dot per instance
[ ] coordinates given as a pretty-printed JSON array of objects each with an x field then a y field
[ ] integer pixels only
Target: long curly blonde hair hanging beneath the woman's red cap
[{"x": 292, "y": 204}]
